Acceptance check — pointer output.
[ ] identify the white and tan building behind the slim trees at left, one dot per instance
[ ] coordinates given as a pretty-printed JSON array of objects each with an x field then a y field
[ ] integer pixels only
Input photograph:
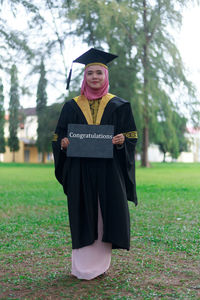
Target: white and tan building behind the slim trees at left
[{"x": 27, "y": 134}]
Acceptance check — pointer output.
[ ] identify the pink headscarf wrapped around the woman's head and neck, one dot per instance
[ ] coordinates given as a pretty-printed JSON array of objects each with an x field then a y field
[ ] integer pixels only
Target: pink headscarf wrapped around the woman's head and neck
[{"x": 92, "y": 94}]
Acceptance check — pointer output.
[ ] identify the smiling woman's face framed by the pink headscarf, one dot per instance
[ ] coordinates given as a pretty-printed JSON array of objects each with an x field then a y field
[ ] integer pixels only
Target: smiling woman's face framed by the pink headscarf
[{"x": 95, "y": 76}]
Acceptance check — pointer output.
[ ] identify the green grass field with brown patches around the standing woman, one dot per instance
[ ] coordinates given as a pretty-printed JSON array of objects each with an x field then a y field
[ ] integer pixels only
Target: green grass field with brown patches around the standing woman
[{"x": 35, "y": 243}]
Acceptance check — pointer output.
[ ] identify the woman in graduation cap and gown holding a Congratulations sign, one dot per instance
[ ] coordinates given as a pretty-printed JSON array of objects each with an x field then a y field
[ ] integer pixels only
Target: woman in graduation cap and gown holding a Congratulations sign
[{"x": 97, "y": 189}]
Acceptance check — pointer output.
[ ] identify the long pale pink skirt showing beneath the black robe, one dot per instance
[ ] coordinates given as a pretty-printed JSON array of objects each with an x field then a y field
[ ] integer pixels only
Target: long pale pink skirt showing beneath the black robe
[{"x": 93, "y": 260}]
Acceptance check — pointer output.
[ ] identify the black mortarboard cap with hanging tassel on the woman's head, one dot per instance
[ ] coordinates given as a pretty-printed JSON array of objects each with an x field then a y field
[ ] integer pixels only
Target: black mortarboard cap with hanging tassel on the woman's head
[{"x": 92, "y": 56}]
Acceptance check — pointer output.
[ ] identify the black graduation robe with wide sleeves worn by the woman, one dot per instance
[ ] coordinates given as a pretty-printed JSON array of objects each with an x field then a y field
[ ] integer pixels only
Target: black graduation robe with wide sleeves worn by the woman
[{"x": 85, "y": 180}]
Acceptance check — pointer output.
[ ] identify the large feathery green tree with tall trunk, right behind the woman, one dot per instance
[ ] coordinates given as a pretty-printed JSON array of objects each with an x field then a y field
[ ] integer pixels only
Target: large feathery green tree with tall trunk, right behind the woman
[{"x": 140, "y": 27}]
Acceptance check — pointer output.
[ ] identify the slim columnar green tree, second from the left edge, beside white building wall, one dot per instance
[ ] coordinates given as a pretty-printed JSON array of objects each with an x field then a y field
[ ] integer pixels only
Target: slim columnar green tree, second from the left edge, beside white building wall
[{"x": 14, "y": 104}]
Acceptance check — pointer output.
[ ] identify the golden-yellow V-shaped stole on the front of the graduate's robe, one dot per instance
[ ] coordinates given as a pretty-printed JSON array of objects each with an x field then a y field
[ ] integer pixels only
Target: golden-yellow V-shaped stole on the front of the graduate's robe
[{"x": 83, "y": 103}]
